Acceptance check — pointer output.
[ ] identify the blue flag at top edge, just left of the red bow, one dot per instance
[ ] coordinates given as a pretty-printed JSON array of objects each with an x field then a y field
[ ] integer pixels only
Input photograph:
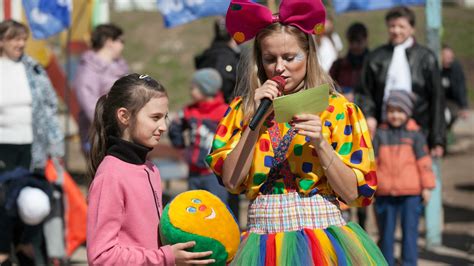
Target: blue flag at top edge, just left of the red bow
[{"x": 177, "y": 12}]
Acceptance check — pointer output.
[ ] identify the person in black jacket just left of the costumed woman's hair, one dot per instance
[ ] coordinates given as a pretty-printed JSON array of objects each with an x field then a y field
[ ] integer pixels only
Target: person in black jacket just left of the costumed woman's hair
[{"x": 223, "y": 55}]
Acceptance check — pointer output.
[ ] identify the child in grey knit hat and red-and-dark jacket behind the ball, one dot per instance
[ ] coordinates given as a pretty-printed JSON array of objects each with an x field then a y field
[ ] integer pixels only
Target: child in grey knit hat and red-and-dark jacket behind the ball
[{"x": 194, "y": 127}]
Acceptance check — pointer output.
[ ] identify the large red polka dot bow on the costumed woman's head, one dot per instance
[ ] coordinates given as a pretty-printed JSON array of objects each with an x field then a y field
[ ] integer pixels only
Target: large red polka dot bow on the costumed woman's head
[{"x": 245, "y": 19}]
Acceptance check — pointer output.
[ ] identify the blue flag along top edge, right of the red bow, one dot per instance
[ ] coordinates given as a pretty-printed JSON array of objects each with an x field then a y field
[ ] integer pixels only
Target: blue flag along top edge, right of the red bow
[{"x": 341, "y": 6}]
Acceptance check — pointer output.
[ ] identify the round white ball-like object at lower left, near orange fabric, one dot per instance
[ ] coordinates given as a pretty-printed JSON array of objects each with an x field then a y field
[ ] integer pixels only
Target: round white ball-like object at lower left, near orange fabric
[{"x": 33, "y": 205}]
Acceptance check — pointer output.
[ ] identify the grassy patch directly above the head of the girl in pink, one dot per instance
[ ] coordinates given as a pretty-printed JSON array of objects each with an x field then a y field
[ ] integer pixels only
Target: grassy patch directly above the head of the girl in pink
[{"x": 165, "y": 54}]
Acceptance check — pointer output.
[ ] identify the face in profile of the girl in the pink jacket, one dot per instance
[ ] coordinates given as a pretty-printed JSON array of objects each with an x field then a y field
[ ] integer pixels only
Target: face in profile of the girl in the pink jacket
[{"x": 150, "y": 122}]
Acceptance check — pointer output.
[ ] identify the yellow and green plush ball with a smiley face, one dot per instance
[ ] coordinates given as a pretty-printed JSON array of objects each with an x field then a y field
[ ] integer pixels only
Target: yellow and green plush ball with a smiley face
[{"x": 200, "y": 216}]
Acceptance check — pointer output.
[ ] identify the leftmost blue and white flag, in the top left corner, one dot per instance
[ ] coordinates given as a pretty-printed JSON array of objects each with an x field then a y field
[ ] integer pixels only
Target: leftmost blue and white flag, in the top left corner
[{"x": 47, "y": 17}]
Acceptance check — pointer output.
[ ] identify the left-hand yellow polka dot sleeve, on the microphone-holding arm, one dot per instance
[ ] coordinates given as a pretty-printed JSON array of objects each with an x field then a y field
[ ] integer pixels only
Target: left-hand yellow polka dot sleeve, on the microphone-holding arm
[{"x": 227, "y": 136}]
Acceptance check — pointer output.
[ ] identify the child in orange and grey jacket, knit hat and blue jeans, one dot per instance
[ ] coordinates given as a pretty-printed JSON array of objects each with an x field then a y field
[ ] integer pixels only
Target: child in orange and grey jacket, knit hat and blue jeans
[{"x": 405, "y": 176}]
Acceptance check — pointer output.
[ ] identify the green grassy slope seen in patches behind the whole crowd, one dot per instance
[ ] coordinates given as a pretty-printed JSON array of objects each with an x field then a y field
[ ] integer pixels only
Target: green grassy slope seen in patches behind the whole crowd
[{"x": 168, "y": 54}]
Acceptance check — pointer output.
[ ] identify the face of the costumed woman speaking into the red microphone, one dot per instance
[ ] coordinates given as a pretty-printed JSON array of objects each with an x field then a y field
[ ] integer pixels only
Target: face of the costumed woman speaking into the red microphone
[{"x": 282, "y": 56}]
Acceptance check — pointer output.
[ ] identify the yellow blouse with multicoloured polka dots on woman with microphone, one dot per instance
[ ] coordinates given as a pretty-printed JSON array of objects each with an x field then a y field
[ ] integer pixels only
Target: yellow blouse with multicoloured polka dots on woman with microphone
[{"x": 344, "y": 127}]
